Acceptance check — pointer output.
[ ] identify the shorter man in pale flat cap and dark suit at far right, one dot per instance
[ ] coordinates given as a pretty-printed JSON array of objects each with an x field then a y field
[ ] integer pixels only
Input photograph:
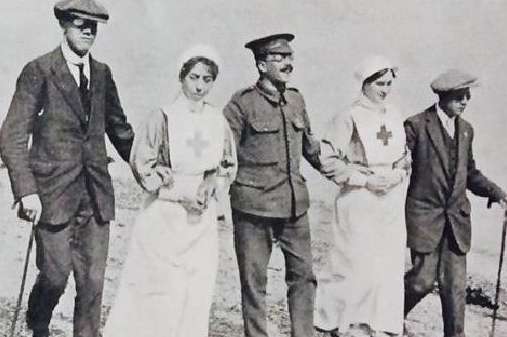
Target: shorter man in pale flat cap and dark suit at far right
[{"x": 437, "y": 208}]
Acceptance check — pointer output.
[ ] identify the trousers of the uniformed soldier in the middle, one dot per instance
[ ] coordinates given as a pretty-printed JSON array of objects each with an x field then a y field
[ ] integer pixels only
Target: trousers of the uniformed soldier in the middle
[{"x": 253, "y": 241}]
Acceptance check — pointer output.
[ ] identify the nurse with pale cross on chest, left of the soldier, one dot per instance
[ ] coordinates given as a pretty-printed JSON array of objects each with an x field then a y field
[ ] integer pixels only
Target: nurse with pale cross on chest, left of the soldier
[{"x": 184, "y": 157}]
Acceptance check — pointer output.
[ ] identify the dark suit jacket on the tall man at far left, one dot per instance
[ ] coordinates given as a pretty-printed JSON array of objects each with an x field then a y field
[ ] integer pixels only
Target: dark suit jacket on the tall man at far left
[{"x": 68, "y": 153}]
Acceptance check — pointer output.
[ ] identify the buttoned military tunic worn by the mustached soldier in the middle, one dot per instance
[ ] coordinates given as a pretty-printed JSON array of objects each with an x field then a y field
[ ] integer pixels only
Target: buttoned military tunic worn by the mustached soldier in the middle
[{"x": 272, "y": 131}]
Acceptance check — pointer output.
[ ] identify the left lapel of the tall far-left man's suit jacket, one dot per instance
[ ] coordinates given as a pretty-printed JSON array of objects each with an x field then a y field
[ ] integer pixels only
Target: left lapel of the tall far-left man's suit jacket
[{"x": 66, "y": 83}]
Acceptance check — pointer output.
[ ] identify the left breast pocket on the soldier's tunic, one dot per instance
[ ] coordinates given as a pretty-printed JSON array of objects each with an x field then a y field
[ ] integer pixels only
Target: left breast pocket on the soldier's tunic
[{"x": 264, "y": 141}]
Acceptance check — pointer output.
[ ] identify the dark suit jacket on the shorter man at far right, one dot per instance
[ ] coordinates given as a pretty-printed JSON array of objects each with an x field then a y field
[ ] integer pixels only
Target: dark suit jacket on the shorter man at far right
[{"x": 431, "y": 201}]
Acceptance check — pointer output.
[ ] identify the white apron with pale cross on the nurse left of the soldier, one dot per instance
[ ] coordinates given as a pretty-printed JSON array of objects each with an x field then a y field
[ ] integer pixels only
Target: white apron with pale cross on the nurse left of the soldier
[{"x": 169, "y": 276}]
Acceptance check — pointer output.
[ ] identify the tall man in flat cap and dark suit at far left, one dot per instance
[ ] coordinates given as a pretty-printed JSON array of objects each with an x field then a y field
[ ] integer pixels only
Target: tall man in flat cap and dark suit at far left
[{"x": 66, "y": 101}]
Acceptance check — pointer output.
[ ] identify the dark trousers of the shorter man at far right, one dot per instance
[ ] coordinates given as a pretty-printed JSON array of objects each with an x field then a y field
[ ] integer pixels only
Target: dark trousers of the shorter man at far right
[{"x": 447, "y": 265}]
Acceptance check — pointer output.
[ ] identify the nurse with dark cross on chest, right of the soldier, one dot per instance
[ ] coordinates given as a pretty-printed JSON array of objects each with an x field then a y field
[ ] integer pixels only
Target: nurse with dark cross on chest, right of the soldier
[{"x": 362, "y": 292}]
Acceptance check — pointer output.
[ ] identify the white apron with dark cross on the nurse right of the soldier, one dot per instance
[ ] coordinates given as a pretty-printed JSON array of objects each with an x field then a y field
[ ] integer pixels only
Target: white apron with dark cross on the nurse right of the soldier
[{"x": 365, "y": 280}]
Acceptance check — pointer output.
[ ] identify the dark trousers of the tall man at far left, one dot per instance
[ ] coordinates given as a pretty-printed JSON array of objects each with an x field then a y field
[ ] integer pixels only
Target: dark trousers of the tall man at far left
[{"x": 81, "y": 246}]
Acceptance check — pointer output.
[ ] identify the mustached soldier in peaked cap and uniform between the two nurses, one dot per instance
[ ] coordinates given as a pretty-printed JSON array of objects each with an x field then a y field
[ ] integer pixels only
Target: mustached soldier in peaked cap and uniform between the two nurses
[{"x": 269, "y": 197}]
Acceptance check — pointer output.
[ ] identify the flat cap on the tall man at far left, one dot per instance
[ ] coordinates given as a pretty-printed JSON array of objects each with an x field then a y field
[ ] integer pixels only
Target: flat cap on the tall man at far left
[{"x": 86, "y": 9}]
